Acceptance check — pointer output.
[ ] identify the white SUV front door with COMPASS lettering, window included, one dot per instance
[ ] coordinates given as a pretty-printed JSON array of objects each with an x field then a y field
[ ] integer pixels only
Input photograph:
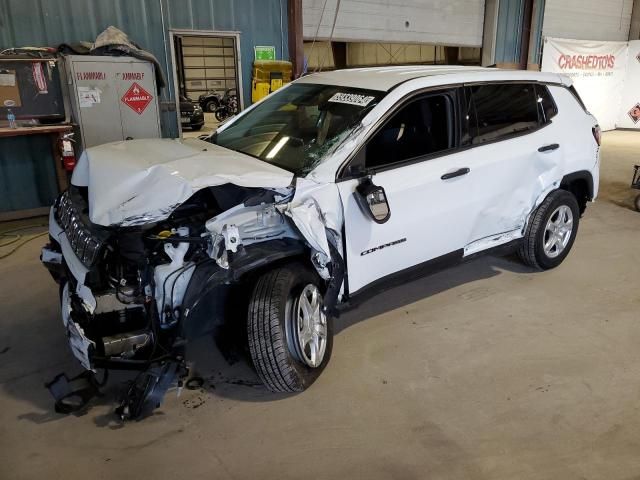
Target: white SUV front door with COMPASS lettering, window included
[{"x": 413, "y": 155}]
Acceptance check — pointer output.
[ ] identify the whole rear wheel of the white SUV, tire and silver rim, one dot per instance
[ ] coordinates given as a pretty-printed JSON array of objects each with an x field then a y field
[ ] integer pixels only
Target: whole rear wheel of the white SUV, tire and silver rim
[{"x": 551, "y": 231}]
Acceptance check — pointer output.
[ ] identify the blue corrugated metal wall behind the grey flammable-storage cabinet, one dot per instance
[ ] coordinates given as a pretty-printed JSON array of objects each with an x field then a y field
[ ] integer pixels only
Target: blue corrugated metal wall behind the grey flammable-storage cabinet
[{"x": 147, "y": 22}]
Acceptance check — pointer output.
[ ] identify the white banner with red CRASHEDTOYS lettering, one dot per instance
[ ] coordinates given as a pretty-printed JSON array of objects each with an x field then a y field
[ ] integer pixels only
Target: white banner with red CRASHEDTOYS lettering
[{"x": 598, "y": 70}]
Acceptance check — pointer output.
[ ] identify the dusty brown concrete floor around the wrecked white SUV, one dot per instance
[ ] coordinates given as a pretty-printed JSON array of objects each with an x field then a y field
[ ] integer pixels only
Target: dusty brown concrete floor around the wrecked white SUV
[{"x": 485, "y": 371}]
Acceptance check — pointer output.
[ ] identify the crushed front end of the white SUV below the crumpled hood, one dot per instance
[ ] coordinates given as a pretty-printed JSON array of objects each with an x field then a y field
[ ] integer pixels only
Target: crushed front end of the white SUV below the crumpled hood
[{"x": 133, "y": 296}]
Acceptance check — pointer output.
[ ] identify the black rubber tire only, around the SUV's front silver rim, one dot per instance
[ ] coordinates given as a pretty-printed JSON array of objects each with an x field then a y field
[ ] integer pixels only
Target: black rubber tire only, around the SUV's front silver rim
[{"x": 271, "y": 307}]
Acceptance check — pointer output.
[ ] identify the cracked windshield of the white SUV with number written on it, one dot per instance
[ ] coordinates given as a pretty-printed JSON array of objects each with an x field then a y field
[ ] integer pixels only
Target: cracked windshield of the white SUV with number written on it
[{"x": 299, "y": 126}]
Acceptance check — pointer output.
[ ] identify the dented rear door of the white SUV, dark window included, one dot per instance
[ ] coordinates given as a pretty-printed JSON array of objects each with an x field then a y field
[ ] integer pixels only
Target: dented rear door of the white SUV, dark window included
[{"x": 512, "y": 156}]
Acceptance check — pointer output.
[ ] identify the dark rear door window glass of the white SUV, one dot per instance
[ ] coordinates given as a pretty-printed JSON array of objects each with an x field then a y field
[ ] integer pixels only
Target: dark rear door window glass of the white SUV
[{"x": 496, "y": 111}]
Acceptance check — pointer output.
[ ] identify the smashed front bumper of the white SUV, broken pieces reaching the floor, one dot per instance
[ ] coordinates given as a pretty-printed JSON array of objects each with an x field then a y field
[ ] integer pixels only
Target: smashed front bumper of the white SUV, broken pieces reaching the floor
[{"x": 85, "y": 316}]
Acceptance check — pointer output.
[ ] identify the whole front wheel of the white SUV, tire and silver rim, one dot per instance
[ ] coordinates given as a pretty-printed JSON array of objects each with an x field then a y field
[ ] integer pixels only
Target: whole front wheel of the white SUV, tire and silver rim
[{"x": 290, "y": 337}]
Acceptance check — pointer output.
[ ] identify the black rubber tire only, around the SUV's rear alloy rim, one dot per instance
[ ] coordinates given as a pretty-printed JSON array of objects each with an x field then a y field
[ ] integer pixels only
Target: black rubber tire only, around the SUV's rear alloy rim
[{"x": 531, "y": 251}]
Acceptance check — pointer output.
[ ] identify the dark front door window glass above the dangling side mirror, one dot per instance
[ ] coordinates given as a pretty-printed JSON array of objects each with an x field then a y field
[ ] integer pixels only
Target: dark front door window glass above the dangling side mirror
[{"x": 422, "y": 127}]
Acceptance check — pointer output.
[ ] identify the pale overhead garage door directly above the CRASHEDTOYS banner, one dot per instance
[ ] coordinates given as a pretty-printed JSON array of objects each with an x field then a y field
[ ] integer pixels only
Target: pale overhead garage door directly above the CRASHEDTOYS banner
[{"x": 588, "y": 19}]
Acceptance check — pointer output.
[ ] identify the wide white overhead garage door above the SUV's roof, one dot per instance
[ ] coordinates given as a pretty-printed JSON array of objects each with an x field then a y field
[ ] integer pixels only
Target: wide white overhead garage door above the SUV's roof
[{"x": 454, "y": 23}]
